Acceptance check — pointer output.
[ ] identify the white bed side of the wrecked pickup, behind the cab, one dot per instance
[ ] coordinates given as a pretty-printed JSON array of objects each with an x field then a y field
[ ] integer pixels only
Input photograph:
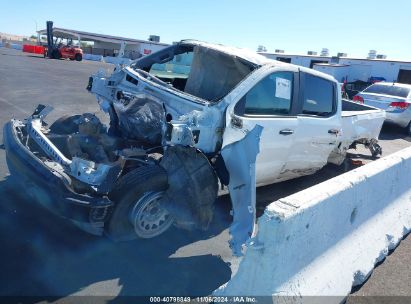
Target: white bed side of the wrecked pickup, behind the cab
[{"x": 360, "y": 121}]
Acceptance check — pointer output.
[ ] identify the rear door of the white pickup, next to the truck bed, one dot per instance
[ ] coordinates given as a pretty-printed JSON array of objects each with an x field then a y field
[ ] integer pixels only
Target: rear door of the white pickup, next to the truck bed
[{"x": 319, "y": 125}]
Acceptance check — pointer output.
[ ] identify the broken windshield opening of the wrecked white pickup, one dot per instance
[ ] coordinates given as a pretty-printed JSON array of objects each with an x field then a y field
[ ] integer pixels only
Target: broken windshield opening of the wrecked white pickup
[{"x": 196, "y": 70}]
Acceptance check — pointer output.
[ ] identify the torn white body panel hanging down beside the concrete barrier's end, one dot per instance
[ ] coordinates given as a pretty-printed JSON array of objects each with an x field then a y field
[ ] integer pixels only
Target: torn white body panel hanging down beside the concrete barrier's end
[{"x": 240, "y": 156}]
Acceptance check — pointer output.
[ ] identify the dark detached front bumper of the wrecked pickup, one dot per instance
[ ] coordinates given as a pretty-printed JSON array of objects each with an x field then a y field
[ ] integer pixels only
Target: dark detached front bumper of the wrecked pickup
[{"x": 50, "y": 189}]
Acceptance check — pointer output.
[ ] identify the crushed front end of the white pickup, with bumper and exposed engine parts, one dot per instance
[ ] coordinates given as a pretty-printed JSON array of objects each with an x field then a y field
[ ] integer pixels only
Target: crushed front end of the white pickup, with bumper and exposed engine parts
[{"x": 69, "y": 167}]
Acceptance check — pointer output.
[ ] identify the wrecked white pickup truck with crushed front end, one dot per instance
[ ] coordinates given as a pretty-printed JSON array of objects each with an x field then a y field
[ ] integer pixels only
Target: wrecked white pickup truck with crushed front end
[{"x": 184, "y": 123}]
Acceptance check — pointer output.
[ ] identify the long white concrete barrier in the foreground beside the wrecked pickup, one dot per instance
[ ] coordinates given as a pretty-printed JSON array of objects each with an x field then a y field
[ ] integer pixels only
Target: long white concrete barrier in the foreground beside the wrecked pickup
[{"x": 328, "y": 238}]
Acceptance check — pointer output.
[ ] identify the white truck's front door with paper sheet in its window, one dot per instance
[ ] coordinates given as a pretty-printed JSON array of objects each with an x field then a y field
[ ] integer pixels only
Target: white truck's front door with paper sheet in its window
[{"x": 270, "y": 104}]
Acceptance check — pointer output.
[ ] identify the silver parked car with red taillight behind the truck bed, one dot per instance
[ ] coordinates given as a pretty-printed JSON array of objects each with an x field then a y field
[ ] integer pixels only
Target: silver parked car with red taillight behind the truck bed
[{"x": 394, "y": 98}]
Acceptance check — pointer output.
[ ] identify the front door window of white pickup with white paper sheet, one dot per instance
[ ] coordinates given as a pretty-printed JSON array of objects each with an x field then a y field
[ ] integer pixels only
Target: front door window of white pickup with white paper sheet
[{"x": 271, "y": 96}]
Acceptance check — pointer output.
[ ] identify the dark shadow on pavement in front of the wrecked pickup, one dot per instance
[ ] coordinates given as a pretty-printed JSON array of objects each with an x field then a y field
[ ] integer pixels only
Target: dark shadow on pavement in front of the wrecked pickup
[{"x": 47, "y": 256}]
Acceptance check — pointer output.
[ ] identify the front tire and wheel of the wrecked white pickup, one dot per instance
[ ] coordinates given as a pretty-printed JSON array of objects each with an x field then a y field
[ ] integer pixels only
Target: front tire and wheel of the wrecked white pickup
[{"x": 134, "y": 194}]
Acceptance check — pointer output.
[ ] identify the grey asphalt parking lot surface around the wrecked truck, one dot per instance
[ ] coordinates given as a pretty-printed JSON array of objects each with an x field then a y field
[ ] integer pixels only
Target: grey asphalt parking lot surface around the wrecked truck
[{"x": 43, "y": 255}]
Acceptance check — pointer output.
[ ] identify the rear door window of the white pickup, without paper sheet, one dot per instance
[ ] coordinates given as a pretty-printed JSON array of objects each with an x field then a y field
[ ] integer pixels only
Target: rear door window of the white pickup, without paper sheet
[{"x": 318, "y": 96}]
